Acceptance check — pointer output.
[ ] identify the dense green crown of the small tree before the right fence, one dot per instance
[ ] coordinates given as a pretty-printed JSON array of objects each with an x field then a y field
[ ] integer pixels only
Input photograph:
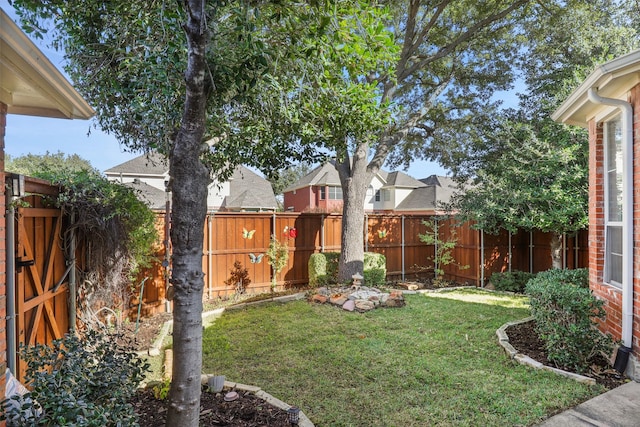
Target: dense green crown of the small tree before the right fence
[{"x": 534, "y": 176}]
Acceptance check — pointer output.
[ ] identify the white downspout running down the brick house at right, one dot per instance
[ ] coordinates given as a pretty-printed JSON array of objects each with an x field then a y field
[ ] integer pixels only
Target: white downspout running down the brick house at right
[{"x": 627, "y": 212}]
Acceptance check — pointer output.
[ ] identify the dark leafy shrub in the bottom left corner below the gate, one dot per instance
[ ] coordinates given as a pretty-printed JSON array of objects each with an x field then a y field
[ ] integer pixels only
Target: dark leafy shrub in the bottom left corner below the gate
[{"x": 84, "y": 381}]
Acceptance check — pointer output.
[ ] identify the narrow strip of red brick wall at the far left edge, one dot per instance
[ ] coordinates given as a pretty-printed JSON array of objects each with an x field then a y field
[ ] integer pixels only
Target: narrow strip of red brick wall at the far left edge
[{"x": 3, "y": 281}]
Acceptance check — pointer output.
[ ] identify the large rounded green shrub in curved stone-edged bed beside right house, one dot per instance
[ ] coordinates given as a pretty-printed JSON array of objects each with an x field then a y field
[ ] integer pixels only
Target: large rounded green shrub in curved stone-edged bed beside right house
[{"x": 566, "y": 314}]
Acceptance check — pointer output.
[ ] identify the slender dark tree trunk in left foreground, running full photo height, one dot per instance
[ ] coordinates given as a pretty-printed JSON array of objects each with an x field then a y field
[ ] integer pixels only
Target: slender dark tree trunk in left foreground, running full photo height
[{"x": 189, "y": 181}]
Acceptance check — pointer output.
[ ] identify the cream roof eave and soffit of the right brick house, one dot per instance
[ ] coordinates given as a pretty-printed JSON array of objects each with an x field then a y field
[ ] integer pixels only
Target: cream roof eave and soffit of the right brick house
[{"x": 612, "y": 80}]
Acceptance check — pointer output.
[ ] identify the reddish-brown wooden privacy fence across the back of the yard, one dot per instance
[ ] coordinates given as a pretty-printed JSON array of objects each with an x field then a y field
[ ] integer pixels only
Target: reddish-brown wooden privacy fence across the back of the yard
[{"x": 244, "y": 237}]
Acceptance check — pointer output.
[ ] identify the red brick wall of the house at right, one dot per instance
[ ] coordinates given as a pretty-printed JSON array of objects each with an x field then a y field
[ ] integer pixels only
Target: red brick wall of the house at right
[{"x": 612, "y": 295}]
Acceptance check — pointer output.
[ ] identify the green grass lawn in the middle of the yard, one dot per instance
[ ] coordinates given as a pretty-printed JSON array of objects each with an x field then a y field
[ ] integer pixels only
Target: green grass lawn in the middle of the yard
[{"x": 435, "y": 362}]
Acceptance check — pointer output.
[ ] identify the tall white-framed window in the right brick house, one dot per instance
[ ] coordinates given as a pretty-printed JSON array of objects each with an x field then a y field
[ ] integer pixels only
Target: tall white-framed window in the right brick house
[{"x": 613, "y": 202}]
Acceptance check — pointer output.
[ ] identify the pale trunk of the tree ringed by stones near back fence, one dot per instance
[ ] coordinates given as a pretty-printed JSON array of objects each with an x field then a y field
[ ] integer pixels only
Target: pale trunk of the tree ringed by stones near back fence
[{"x": 354, "y": 179}]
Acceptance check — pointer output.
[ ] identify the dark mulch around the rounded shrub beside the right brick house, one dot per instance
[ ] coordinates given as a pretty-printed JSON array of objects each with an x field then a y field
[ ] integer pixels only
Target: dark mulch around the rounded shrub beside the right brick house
[{"x": 524, "y": 339}]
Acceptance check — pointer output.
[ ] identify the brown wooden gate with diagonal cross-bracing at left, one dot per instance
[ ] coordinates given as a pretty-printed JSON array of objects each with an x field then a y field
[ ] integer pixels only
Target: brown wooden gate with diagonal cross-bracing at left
[{"x": 41, "y": 291}]
